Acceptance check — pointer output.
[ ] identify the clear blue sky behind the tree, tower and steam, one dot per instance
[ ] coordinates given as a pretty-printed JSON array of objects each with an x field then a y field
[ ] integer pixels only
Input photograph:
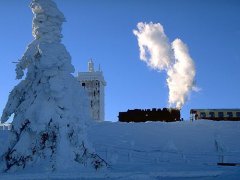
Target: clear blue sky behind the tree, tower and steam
[{"x": 102, "y": 30}]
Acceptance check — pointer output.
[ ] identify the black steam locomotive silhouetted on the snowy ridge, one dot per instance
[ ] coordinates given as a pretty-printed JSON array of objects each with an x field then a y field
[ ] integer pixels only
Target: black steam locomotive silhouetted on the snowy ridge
[{"x": 143, "y": 115}]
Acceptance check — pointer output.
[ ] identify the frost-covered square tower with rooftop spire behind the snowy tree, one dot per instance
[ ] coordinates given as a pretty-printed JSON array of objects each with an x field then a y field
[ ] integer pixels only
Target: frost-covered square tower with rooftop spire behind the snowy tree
[{"x": 94, "y": 83}]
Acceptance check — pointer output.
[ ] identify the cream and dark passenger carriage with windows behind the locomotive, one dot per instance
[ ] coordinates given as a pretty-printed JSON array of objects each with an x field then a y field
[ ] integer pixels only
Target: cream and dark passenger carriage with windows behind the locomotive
[{"x": 215, "y": 114}]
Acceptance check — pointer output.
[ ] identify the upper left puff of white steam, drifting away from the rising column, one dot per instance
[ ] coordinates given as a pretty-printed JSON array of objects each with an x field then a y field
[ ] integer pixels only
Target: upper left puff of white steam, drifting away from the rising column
[{"x": 154, "y": 45}]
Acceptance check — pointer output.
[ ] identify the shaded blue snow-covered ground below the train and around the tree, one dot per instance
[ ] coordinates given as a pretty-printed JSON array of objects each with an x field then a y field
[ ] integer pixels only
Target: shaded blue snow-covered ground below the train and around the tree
[{"x": 156, "y": 150}]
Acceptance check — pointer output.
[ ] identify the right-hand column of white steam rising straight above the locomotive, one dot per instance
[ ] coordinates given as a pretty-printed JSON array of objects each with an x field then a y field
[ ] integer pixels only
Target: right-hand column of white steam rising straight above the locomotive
[{"x": 181, "y": 76}]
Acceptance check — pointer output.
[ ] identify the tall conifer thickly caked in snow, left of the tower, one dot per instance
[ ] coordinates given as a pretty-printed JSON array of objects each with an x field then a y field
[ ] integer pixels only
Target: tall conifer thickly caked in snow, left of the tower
[{"x": 50, "y": 107}]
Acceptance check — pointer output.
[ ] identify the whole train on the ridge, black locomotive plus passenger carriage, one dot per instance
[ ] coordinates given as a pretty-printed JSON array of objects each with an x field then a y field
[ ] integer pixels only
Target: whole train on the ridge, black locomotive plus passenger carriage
[{"x": 173, "y": 115}]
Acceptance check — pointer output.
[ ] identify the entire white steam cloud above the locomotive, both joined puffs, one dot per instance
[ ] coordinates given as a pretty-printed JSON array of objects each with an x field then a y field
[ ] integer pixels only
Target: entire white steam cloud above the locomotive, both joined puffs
[{"x": 174, "y": 58}]
